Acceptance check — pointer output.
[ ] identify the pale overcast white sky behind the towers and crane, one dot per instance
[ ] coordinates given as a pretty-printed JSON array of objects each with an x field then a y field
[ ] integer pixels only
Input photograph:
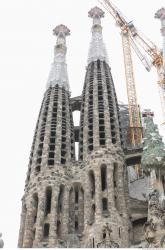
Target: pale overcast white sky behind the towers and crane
[{"x": 26, "y": 53}]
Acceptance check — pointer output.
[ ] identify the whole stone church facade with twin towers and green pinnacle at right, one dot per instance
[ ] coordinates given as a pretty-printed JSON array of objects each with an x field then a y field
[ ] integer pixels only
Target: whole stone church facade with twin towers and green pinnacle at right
[{"x": 99, "y": 200}]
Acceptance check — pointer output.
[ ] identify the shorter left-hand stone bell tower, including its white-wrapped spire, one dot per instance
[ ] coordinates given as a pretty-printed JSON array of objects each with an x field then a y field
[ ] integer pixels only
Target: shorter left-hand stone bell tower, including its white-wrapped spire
[{"x": 52, "y": 151}]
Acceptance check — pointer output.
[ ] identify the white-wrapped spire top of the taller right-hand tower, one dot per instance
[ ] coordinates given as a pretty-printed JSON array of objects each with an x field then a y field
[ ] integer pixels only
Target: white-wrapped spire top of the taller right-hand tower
[{"x": 97, "y": 48}]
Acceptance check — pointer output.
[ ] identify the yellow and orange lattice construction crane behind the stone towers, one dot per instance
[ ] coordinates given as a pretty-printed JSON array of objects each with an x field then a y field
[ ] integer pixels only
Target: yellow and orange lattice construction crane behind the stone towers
[{"x": 149, "y": 55}]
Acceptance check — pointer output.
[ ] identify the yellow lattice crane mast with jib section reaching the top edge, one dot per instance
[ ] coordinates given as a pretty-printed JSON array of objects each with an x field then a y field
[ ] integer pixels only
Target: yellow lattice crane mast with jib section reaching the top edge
[{"x": 135, "y": 124}]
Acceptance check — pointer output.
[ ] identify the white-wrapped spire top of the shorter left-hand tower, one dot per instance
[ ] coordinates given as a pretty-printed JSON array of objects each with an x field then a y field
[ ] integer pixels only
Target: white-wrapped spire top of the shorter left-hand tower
[{"x": 58, "y": 73}]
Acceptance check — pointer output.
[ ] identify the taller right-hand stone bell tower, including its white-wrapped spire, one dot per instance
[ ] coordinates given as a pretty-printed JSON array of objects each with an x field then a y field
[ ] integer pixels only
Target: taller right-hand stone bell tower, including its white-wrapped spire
[{"x": 105, "y": 185}]
